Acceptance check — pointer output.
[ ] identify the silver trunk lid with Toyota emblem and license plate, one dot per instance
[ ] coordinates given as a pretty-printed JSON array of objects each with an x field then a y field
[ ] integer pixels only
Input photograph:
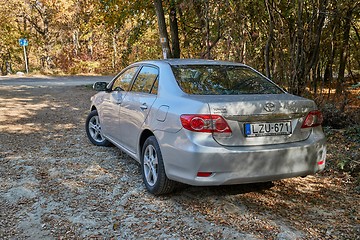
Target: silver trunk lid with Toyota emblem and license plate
[{"x": 262, "y": 119}]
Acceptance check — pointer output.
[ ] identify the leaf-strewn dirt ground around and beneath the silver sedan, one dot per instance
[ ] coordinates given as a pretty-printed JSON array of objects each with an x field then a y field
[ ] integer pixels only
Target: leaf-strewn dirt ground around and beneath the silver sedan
[{"x": 55, "y": 185}]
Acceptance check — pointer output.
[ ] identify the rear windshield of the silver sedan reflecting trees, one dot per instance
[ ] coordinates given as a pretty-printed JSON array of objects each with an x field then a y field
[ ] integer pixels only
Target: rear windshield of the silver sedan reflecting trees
[{"x": 222, "y": 80}]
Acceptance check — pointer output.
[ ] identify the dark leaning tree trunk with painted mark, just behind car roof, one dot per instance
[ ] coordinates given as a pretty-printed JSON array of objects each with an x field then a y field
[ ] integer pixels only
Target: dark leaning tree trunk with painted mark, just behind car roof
[{"x": 164, "y": 40}]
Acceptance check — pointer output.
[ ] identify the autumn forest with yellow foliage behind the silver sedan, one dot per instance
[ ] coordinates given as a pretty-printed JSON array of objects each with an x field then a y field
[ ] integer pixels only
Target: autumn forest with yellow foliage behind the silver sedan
[{"x": 306, "y": 46}]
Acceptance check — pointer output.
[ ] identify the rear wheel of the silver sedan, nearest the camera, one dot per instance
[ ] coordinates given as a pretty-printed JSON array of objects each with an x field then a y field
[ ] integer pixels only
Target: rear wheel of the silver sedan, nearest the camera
[{"x": 153, "y": 170}]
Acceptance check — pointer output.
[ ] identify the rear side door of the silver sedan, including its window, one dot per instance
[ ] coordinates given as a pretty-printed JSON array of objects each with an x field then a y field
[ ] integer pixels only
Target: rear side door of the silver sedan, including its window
[{"x": 136, "y": 105}]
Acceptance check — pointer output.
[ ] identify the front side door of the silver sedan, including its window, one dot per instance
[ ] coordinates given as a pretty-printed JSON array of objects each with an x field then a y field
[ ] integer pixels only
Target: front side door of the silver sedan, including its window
[{"x": 110, "y": 114}]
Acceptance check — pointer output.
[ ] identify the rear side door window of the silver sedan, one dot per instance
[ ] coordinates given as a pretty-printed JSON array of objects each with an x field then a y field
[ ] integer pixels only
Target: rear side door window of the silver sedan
[{"x": 146, "y": 80}]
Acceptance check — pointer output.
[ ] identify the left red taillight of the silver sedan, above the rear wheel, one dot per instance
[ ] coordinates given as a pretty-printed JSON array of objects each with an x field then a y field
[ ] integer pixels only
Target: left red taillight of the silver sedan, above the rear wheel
[{"x": 205, "y": 123}]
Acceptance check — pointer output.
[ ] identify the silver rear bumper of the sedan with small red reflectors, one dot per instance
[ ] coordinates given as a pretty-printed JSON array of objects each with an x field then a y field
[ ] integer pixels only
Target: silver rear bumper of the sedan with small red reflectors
[{"x": 236, "y": 165}]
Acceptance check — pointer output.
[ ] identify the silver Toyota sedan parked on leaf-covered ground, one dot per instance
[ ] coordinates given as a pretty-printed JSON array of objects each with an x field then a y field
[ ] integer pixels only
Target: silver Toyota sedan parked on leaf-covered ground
[{"x": 203, "y": 122}]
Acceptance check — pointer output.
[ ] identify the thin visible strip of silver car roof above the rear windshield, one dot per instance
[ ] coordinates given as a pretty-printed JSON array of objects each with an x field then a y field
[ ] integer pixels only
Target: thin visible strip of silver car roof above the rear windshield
[{"x": 184, "y": 61}]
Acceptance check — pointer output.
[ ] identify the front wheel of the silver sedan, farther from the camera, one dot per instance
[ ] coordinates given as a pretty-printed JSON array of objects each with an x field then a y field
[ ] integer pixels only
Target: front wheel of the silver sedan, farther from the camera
[{"x": 93, "y": 130}]
